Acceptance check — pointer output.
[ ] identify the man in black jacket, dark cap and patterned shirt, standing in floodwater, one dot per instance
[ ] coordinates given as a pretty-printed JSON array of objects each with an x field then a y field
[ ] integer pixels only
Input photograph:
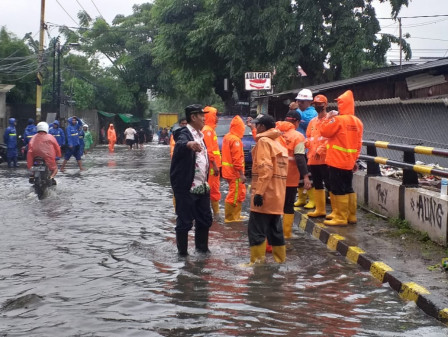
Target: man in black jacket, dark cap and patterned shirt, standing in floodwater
[{"x": 188, "y": 176}]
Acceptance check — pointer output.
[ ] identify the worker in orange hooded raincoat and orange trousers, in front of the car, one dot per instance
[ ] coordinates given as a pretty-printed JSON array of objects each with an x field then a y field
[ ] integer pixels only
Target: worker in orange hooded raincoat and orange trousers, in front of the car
[{"x": 233, "y": 169}]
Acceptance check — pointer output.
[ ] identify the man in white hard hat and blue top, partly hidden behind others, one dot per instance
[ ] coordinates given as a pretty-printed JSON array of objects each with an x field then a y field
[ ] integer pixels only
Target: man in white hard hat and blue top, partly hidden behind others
[{"x": 303, "y": 105}]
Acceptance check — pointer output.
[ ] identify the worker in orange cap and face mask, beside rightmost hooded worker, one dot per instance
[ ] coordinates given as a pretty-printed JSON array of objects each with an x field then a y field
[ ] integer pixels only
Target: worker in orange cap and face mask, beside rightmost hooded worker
[{"x": 317, "y": 149}]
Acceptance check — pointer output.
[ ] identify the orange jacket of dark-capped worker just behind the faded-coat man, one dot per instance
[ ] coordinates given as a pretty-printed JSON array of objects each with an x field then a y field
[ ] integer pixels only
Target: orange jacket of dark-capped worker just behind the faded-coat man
[{"x": 294, "y": 142}]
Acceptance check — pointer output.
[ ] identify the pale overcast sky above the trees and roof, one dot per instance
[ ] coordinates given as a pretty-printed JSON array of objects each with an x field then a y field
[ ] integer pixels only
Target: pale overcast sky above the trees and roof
[{"x": 428, "y": 35}]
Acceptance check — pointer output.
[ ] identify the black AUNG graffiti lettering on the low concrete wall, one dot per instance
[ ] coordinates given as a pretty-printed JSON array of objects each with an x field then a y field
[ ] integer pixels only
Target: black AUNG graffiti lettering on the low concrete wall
[{"x": 428, "y": 210}]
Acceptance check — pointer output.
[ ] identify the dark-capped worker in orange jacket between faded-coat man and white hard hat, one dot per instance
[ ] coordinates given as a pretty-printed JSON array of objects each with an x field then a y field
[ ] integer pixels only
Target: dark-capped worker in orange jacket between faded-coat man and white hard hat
[{"x": 294, "y": 142}]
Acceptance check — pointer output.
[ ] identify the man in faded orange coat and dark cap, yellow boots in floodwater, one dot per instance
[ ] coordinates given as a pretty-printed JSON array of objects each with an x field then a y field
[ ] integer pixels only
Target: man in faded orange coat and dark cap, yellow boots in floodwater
[{"x": 269, "y": 172}]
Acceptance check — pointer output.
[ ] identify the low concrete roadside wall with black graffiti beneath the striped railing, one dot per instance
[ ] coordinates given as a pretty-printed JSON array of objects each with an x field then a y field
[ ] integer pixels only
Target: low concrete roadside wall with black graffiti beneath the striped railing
[{"x": 425, "y": 210}]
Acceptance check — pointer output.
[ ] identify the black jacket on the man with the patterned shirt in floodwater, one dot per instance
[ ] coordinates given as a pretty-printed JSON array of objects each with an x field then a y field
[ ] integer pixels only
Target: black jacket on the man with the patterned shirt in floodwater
[{"x": 183, "y": 161}]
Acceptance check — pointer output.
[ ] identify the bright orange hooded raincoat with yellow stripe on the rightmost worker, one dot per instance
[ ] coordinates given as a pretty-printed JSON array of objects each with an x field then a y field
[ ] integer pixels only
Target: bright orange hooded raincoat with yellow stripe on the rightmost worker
[{"x": 344, "y": 133}]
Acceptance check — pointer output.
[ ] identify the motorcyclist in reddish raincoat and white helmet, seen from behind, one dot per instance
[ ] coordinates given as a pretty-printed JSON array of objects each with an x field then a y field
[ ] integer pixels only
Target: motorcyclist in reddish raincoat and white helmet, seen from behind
[{"x": 45, "y": 146}]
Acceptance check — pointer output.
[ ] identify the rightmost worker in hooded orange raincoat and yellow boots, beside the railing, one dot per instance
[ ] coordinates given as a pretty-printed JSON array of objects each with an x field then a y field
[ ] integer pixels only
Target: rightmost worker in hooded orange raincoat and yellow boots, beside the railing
[{"x": 344, "y": 133}]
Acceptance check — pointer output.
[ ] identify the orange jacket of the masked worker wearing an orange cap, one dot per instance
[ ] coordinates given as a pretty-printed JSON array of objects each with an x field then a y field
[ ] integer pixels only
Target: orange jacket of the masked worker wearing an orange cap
[{"x": 315, "y": 142}]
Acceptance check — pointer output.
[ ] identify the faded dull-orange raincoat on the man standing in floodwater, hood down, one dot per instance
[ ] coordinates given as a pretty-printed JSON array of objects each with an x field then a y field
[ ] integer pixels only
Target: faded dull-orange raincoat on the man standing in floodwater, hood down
[{"x": 269, "y": 172}]
